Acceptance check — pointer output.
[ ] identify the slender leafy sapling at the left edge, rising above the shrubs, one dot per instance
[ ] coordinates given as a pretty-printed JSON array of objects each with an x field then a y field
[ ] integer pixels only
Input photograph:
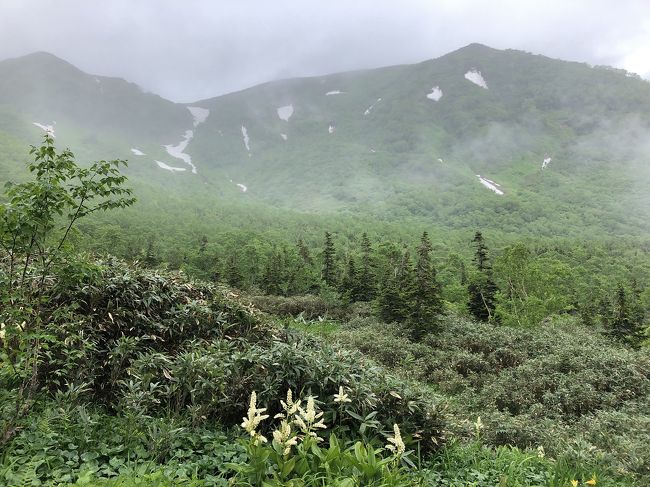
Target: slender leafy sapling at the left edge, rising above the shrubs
[{"x": 32, "y": 251}]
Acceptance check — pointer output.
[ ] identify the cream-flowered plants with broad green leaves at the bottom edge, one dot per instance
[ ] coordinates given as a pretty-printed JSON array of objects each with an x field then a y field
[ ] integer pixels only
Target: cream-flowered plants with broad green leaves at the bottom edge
[{"x": 296, "y": 455}]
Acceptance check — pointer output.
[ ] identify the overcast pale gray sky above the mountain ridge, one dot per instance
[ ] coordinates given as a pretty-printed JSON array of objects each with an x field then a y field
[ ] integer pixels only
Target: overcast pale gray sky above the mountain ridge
[{"x": 186, "y": 50}]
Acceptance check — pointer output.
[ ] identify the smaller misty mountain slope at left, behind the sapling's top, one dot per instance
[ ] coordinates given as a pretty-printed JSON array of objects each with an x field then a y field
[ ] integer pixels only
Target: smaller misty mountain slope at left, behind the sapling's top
[{"x": 94, "y": 114}]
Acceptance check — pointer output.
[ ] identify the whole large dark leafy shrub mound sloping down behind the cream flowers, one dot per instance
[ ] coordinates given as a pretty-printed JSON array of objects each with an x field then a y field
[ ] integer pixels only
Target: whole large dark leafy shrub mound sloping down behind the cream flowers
[{"x": 153, "y": 346}]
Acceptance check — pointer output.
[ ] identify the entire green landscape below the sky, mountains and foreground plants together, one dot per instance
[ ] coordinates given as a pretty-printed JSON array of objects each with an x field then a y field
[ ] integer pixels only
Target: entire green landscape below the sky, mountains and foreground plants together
[{"x": 371, "y": 288}]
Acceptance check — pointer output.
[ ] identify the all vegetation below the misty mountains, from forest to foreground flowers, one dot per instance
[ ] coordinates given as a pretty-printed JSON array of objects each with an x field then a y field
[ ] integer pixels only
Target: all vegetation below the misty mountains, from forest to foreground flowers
[{"x": 333, "y": 353}]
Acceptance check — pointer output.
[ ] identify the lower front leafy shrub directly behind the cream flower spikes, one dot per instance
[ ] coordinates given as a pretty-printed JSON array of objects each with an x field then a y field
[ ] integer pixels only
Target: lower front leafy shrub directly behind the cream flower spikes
[{"x": 212, "y": 380}]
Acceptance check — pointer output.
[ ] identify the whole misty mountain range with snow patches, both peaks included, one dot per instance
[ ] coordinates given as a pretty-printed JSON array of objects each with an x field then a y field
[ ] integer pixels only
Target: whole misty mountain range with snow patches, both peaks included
[{"x": 476, "y": 138}]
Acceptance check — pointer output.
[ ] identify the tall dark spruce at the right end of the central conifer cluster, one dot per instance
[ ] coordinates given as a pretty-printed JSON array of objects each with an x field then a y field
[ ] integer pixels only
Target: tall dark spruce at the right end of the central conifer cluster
[{"x": 426, "y": 291}]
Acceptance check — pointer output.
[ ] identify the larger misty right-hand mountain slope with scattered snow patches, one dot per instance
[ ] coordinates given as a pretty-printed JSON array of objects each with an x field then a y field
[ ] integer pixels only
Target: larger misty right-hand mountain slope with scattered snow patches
[{"x": 384, "y": 140}]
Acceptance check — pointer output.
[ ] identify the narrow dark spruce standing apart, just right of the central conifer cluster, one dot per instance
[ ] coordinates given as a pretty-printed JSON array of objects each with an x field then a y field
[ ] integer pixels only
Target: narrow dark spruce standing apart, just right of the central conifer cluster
[{"x": 482, "y": 288}]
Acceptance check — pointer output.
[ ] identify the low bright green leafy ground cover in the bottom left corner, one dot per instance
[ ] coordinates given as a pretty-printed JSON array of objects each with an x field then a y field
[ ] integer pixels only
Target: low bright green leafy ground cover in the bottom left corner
[{"x": 68, "y": 442}]
